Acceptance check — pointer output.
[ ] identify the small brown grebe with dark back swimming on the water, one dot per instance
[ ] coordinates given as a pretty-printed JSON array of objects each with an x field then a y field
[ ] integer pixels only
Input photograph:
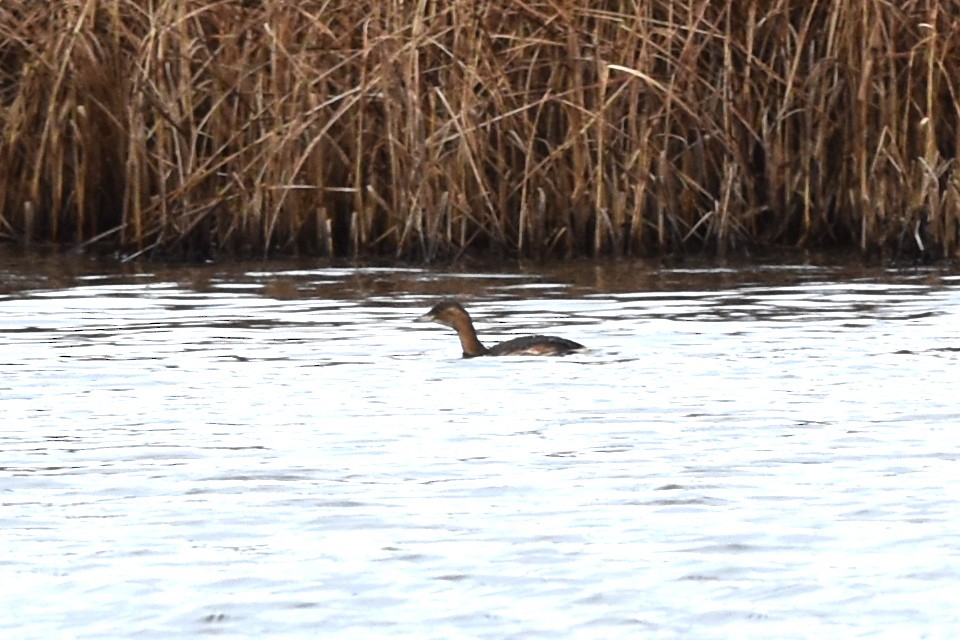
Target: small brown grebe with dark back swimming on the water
[{"x": 452, "y": 314}]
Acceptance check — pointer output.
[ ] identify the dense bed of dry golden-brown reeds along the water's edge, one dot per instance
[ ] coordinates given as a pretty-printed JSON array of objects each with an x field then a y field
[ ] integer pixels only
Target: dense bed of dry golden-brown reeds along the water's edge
[{"x": 427, "y": 129}]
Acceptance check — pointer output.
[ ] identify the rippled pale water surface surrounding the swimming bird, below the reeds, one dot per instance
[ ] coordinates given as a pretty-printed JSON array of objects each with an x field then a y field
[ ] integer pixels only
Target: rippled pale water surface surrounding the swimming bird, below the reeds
[{"x": 278, "y": 451}]
